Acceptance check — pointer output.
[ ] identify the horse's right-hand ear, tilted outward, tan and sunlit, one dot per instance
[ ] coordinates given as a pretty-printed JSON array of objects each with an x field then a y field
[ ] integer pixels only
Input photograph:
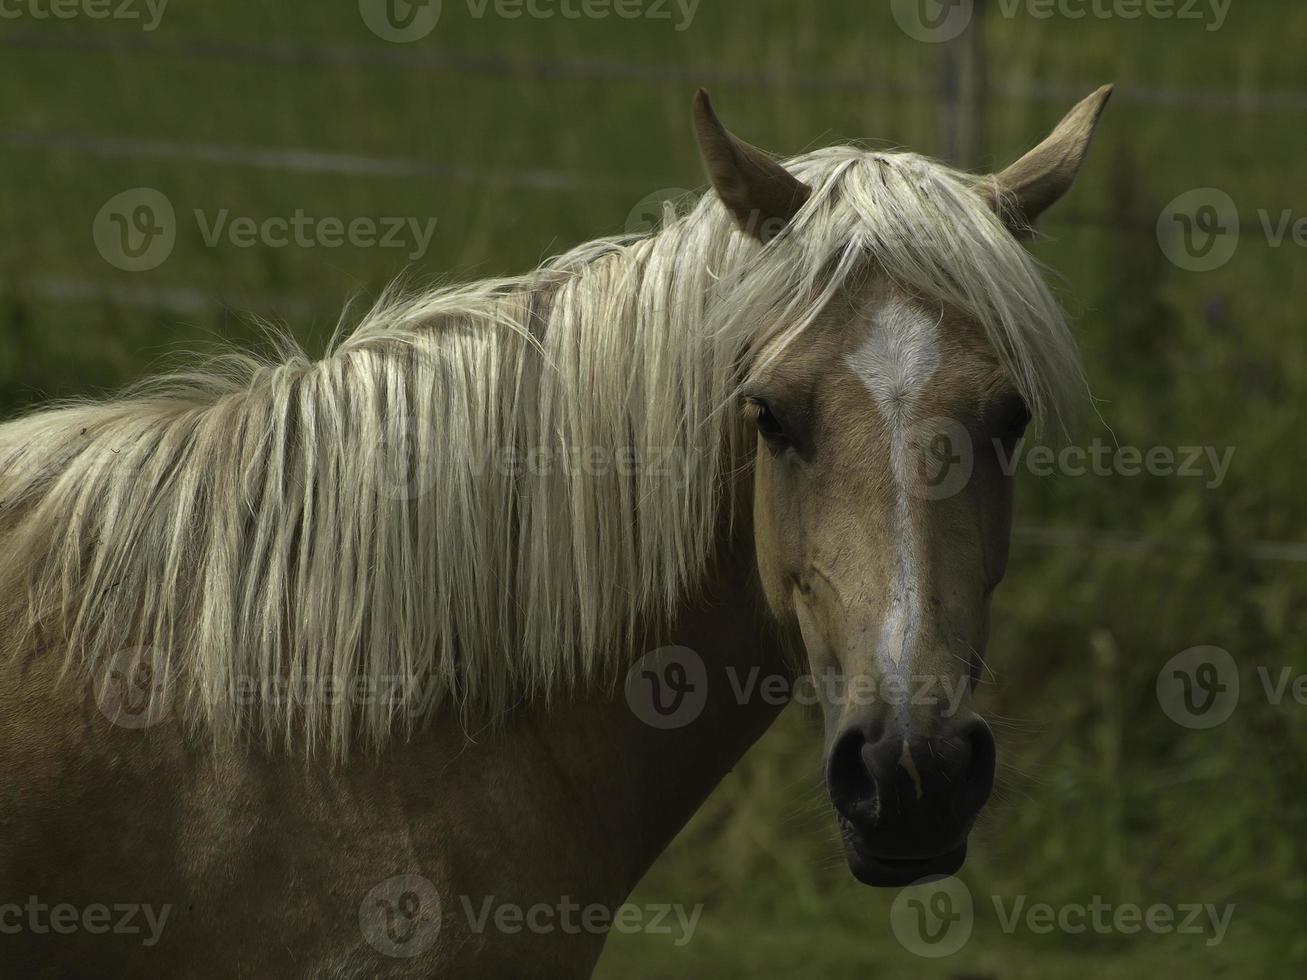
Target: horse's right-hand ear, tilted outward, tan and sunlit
[{"x": 1036, "y": 182}]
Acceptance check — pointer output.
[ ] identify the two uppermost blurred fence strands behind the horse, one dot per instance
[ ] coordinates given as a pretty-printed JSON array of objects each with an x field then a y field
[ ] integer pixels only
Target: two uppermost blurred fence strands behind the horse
[{"x": 314, "y": 161}]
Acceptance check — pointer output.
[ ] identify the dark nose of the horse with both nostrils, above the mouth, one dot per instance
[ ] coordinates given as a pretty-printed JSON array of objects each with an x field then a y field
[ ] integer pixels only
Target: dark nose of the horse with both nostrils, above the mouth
[{"x": 917, "y": 791}]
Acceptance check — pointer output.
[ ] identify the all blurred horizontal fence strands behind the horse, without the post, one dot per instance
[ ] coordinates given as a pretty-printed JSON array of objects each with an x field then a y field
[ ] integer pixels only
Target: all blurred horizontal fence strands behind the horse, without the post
[{"x": 186, "y": 300}]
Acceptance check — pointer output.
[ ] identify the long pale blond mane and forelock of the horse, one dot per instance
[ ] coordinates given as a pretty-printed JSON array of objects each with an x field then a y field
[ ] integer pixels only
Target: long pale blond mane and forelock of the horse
[{"x": 476, "y": 496}]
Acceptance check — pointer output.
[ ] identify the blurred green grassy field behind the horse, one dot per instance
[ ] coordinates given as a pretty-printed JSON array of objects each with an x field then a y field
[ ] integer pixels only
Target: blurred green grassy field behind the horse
[{"x": 526, "y": 137}]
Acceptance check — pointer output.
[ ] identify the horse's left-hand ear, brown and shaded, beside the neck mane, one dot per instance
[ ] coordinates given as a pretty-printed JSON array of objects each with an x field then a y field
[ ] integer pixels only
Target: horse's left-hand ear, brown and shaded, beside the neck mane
[{"x": 761, "y": 195}]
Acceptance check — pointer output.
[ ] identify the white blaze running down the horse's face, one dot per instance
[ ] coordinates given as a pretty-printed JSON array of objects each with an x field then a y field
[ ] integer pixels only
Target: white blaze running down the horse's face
[{"x": 896, "y": 365}]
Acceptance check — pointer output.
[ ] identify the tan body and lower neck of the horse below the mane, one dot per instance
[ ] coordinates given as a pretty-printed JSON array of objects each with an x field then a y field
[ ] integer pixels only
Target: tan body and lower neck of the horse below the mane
[{"x": 261, "y": 864}]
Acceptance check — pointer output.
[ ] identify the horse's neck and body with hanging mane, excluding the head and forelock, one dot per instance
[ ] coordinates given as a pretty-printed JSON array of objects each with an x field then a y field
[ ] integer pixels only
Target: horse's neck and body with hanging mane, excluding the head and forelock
[{"x": 278, "y": 527}]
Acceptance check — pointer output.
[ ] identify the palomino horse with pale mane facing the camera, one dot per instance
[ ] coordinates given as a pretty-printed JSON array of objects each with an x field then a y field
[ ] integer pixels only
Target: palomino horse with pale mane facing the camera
[{"x": 312, "y": 663}]
